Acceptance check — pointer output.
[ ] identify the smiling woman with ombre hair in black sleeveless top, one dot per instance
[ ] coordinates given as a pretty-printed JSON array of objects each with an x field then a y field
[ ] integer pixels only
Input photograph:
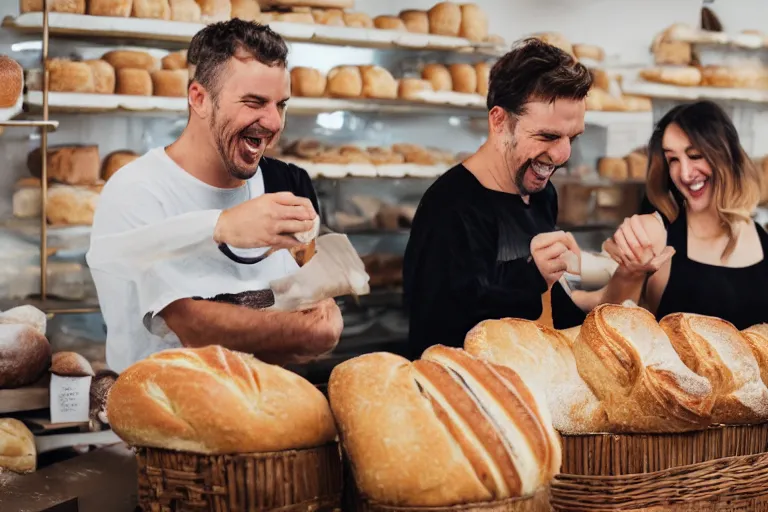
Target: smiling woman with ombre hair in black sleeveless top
[{"x": 706, "y": 187}]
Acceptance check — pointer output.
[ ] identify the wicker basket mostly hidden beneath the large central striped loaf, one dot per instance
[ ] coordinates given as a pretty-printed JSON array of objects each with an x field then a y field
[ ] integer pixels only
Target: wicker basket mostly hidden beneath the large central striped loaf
[{"x": 354, "y": 501}]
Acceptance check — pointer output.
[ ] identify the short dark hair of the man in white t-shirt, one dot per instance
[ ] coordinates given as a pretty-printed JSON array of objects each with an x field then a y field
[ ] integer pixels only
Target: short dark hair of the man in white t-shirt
[{"x": 214, "y": 45}]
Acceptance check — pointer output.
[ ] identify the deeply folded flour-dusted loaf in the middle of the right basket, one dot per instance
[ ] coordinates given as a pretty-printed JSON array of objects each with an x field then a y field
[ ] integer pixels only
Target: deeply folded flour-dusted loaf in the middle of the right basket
[{"x": 631, "y": 366}]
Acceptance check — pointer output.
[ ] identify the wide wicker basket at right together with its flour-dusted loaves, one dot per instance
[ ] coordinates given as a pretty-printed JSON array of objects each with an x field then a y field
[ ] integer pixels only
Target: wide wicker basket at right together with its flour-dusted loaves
[{"x": 653, "y": 416}]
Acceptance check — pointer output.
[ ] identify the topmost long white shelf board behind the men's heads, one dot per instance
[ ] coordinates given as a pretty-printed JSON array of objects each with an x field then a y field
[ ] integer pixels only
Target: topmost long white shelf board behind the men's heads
[{"x": 178, "y": 34}]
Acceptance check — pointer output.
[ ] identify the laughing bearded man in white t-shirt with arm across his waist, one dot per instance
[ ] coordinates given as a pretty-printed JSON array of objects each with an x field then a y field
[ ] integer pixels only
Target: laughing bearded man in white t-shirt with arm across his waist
[{"x": 172, "y": 219}]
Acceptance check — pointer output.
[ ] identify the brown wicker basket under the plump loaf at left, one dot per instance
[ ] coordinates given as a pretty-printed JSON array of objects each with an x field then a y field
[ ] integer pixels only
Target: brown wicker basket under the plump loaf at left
[{"x": 289, "y": 481}]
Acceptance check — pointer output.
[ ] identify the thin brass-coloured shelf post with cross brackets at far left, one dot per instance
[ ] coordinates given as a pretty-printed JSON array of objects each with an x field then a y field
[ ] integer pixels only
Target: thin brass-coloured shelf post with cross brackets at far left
[{"x": 44, "y": 126}]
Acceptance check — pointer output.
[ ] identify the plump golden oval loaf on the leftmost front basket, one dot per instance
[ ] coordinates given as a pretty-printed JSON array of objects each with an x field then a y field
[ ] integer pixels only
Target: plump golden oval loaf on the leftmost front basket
[{"x": 215, "y": 401}]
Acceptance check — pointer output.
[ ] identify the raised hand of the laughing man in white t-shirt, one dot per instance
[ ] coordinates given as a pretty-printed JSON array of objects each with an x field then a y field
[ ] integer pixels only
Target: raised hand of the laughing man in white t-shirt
[{"x": 270, "y": 220}]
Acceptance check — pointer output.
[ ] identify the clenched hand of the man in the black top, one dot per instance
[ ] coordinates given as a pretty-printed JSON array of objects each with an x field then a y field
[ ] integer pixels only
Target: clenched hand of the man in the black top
[{"x": 554, "y": 254}]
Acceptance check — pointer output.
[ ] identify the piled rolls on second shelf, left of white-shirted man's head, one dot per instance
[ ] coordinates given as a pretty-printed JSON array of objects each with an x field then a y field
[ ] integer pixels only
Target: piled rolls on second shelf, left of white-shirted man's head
[{"x": 129, "y": 72}]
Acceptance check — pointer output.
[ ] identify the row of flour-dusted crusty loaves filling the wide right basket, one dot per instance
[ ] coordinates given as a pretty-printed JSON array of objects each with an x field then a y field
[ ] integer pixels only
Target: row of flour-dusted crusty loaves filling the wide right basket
[{"x": 684, "y": 373}]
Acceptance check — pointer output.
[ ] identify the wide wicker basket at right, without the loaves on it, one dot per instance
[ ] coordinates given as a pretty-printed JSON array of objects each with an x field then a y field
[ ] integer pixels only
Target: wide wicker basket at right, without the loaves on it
[{"x": 723, "y": 469}]
